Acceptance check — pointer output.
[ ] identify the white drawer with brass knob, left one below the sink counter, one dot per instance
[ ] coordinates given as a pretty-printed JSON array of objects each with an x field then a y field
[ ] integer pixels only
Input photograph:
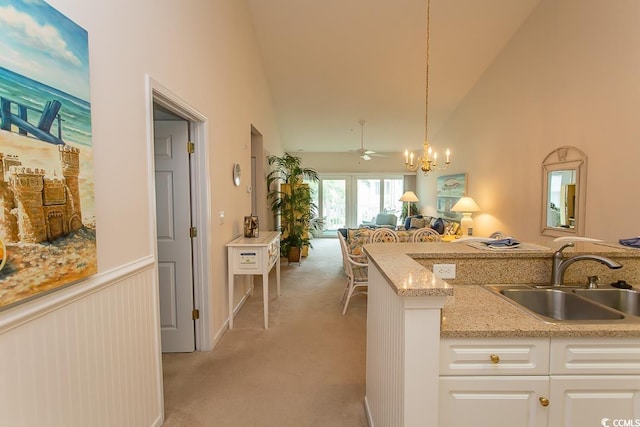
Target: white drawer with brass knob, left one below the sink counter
[{"x": 514, "y": 356}]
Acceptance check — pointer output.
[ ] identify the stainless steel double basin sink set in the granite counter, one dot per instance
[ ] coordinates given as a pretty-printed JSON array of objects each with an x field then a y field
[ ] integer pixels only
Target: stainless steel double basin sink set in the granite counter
[{"x": 565, "y": 304}]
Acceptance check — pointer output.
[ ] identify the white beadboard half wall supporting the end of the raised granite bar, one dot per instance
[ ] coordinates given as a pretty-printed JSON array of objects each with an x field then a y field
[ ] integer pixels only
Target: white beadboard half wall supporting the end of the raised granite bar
[{"x": 403, "y": 341}]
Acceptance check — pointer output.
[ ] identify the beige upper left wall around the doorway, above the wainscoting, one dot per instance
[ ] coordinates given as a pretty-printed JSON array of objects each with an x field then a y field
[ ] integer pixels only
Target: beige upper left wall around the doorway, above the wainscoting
[{"x": 205, "y": 53}]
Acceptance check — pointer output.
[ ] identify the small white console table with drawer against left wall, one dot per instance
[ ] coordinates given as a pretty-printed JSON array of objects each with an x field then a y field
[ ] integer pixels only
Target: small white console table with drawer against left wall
[{"x": 251, "y": 256}]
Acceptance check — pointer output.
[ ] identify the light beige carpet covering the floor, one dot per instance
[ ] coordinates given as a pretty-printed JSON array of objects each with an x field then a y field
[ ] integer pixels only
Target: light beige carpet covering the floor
[{"x": 308, "y": 369}]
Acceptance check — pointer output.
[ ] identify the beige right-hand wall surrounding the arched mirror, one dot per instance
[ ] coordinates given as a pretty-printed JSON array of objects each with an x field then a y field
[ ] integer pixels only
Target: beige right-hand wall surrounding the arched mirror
[{"x": 568, "y": 77}]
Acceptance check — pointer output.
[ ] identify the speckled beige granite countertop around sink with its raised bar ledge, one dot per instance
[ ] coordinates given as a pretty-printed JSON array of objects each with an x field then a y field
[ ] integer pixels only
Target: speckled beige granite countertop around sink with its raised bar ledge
[{"x": 473, "y": 311}]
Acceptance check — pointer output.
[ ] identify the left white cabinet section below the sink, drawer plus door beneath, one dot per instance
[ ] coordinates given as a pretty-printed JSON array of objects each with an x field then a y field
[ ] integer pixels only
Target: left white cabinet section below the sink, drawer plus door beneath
[{"x": 494, "y": 382}]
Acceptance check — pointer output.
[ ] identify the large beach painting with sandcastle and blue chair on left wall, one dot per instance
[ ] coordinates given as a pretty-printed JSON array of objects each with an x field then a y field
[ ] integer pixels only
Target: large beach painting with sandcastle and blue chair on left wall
[{"x": 47, "y": 220}]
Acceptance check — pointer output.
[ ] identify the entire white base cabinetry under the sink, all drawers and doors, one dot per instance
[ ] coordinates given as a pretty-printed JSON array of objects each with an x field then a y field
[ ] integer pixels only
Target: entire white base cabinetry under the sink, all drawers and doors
[{"x": 539, "y": 381}]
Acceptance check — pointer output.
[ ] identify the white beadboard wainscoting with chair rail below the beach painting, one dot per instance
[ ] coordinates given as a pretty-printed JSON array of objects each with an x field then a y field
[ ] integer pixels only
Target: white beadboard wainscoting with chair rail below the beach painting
[{"x": 86, "y": 355}]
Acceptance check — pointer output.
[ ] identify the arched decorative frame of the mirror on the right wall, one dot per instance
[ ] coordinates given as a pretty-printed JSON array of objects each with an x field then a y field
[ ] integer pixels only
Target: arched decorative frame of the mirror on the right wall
[{"x": 565, "y": 158}]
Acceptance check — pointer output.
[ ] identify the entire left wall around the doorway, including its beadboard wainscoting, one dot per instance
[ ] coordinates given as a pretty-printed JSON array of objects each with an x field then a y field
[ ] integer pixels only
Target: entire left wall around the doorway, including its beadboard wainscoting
[{"x": 205, "y": 52}]
